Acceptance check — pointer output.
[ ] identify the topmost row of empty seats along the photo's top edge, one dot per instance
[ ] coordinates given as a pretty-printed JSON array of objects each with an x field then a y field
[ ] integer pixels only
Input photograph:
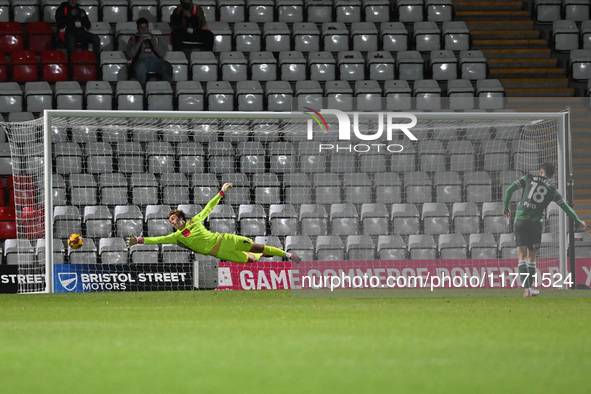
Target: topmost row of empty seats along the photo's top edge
[{"x": 233, "y": 11}]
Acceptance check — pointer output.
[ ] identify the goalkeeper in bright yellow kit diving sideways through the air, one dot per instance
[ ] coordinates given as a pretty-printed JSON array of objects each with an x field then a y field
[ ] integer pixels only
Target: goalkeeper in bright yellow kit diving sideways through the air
[{"x": 194, "y": 236}]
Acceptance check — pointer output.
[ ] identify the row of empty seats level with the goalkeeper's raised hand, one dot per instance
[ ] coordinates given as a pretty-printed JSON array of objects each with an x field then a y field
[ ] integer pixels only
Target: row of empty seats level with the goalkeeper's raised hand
[{"x": 323, "y": 188}]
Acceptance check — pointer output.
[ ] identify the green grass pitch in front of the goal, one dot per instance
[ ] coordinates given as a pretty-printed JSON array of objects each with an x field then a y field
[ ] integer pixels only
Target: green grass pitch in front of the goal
[{"x": 269, "y": 342}]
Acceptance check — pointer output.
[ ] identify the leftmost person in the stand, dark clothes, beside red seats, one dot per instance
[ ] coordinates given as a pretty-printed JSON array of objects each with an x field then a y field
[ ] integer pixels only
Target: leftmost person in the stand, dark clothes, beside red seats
[{"x": 72, "y": 26}]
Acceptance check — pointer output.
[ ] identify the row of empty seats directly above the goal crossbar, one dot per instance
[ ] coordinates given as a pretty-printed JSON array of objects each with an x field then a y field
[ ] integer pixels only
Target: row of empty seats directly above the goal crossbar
[{"x": 250, "y": 96}]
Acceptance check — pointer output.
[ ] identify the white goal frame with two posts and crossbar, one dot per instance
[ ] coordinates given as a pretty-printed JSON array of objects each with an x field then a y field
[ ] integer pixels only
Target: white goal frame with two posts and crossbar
[{"x": 561, "y": 119}]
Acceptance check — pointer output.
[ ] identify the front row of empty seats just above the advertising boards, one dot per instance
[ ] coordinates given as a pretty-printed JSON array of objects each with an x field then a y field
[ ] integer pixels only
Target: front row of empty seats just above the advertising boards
[{"x": 112, "y": 250}]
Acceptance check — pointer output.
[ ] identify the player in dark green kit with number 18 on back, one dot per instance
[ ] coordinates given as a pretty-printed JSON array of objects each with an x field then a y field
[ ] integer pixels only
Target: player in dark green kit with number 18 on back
[{"x": 538, "y": 193}]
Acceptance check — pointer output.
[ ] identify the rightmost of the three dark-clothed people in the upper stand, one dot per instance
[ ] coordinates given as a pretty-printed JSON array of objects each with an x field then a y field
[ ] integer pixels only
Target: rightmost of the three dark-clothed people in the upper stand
[{"x": 189, "y": 25}]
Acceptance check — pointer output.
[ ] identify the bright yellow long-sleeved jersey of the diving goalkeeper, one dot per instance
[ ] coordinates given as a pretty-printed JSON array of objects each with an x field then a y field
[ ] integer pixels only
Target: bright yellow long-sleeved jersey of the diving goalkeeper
[{"x": 194, "y": 236}]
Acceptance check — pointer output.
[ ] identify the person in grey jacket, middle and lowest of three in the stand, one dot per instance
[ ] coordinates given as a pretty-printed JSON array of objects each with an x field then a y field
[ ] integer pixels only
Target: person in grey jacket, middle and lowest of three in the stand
[{"x": 147, "y": 54}]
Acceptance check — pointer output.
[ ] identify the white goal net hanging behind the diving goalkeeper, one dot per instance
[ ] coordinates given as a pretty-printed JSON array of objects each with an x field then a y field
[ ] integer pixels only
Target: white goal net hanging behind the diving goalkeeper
[{"x": 299, "y": 185}]
